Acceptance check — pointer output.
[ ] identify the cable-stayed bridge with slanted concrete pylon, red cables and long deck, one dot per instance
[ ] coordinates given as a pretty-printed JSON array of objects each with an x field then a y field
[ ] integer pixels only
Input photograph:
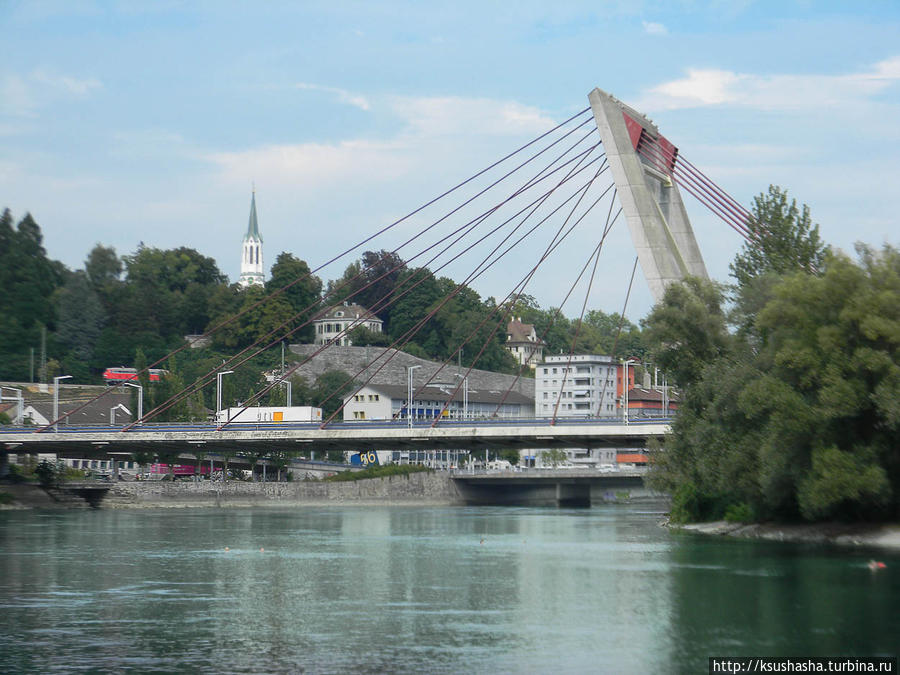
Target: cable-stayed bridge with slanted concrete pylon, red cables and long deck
[{"x": 564, "y": 188}]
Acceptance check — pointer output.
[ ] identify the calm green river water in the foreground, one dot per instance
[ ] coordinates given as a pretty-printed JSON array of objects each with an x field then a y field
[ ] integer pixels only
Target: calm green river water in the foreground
[{"x": 420, "y": 590}]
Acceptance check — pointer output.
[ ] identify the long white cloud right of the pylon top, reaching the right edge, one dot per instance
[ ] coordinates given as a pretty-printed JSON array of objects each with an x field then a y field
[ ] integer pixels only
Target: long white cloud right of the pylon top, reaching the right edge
[{"x": 706, "y": 87}]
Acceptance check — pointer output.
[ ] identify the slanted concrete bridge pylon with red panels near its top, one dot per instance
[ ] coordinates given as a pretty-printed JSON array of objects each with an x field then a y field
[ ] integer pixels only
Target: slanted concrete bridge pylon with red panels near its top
[{"x": 651, "y": 202}]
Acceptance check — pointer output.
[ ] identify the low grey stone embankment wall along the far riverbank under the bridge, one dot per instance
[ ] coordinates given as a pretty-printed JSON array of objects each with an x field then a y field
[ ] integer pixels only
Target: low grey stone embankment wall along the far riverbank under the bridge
[{"x": 417, "y": 488}]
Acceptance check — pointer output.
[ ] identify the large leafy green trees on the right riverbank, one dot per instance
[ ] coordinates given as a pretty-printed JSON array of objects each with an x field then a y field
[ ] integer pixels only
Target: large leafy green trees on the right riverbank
[{"x": 792, "y": 395}]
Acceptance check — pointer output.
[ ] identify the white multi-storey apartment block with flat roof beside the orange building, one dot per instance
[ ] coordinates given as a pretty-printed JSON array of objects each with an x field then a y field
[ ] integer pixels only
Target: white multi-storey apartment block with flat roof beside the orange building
[{"x": 583, "y": 385}]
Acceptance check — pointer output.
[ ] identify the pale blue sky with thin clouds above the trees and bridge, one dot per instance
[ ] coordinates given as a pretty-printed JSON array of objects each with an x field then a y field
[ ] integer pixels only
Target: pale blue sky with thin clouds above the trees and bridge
[{"x": 124, "y": 123}]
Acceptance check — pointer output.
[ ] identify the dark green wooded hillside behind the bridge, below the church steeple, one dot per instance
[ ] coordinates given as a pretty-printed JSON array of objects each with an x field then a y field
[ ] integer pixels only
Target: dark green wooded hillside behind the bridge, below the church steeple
[{"x": 134, "y": 310}]
